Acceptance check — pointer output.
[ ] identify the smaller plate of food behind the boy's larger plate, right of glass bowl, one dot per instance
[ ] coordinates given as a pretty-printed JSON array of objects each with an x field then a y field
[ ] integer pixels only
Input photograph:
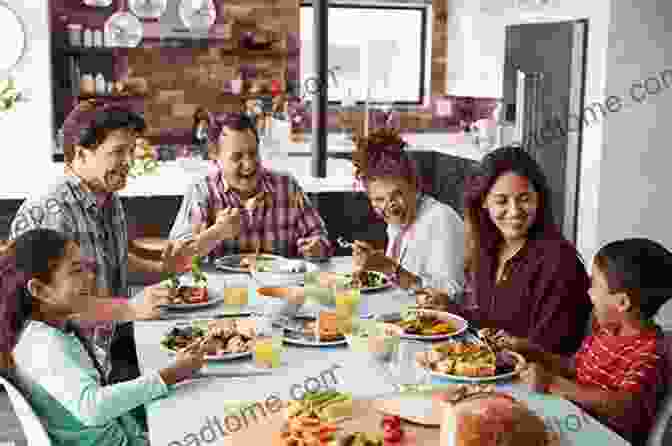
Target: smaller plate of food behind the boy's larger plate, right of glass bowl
[{"x": 427, "y": 325}]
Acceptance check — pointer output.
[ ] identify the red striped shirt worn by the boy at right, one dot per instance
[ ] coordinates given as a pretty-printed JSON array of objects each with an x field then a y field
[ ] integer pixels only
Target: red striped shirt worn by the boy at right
[{"x": 623, "y": 363}]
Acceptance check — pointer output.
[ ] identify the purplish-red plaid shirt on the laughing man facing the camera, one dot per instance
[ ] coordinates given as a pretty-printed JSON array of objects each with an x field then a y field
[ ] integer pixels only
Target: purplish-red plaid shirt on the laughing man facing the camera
[{"x": 282, "y": 216}]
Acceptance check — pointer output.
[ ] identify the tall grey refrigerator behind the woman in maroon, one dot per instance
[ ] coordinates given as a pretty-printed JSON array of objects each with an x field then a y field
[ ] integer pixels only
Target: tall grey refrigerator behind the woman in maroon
[{"x": 543, "y": 94}]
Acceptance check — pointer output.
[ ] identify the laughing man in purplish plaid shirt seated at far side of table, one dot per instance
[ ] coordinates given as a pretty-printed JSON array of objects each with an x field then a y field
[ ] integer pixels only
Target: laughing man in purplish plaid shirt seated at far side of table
[{"x": 241, "y": 207}]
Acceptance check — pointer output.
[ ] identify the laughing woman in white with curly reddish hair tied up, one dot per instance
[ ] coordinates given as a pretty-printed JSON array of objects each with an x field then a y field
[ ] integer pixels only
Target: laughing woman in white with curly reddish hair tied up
[{"x": 425, "y": 237}]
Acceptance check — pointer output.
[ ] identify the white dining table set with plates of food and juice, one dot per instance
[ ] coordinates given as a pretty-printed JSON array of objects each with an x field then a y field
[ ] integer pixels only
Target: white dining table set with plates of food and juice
[{"x": 230, "y": 398}]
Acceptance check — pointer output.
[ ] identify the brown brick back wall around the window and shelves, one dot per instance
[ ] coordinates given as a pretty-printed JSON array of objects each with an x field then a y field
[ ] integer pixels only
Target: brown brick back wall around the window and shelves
[{"x": 181, "y": 79}]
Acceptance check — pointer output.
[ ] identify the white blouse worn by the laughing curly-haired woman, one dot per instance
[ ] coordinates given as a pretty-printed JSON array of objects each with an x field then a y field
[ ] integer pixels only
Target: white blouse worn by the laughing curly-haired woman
[{"x": 433, "y": 248}]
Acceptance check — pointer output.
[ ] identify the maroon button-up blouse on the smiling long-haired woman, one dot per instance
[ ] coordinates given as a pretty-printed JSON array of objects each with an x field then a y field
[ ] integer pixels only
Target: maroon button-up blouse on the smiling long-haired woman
[{"x": 543, "y": 295}]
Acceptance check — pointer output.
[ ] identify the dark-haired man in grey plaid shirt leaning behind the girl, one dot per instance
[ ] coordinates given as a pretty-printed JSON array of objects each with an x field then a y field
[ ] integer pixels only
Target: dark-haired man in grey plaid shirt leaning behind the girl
[{"x": 84, "y": 205}]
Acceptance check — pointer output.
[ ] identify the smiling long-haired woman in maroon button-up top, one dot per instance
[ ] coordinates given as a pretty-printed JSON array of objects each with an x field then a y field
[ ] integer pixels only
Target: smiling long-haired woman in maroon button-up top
[{"x": 523, "y": 276}]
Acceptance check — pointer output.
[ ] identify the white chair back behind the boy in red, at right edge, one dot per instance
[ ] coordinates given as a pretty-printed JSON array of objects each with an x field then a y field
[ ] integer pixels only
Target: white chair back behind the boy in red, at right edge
[{"x": 661, "y": 433}]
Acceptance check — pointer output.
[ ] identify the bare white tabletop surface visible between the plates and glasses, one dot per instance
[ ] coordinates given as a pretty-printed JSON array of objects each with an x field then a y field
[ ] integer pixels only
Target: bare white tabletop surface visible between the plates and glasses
[{"x": 190, "y": 406}]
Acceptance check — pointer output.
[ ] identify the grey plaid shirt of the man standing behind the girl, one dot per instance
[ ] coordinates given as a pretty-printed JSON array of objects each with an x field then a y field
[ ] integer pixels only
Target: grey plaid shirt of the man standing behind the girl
[{"x": 71, "y": 209}]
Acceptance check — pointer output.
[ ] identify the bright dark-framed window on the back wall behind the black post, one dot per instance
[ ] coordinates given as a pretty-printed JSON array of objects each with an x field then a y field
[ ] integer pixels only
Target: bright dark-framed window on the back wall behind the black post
[{"x": 386, "y": 44}]
